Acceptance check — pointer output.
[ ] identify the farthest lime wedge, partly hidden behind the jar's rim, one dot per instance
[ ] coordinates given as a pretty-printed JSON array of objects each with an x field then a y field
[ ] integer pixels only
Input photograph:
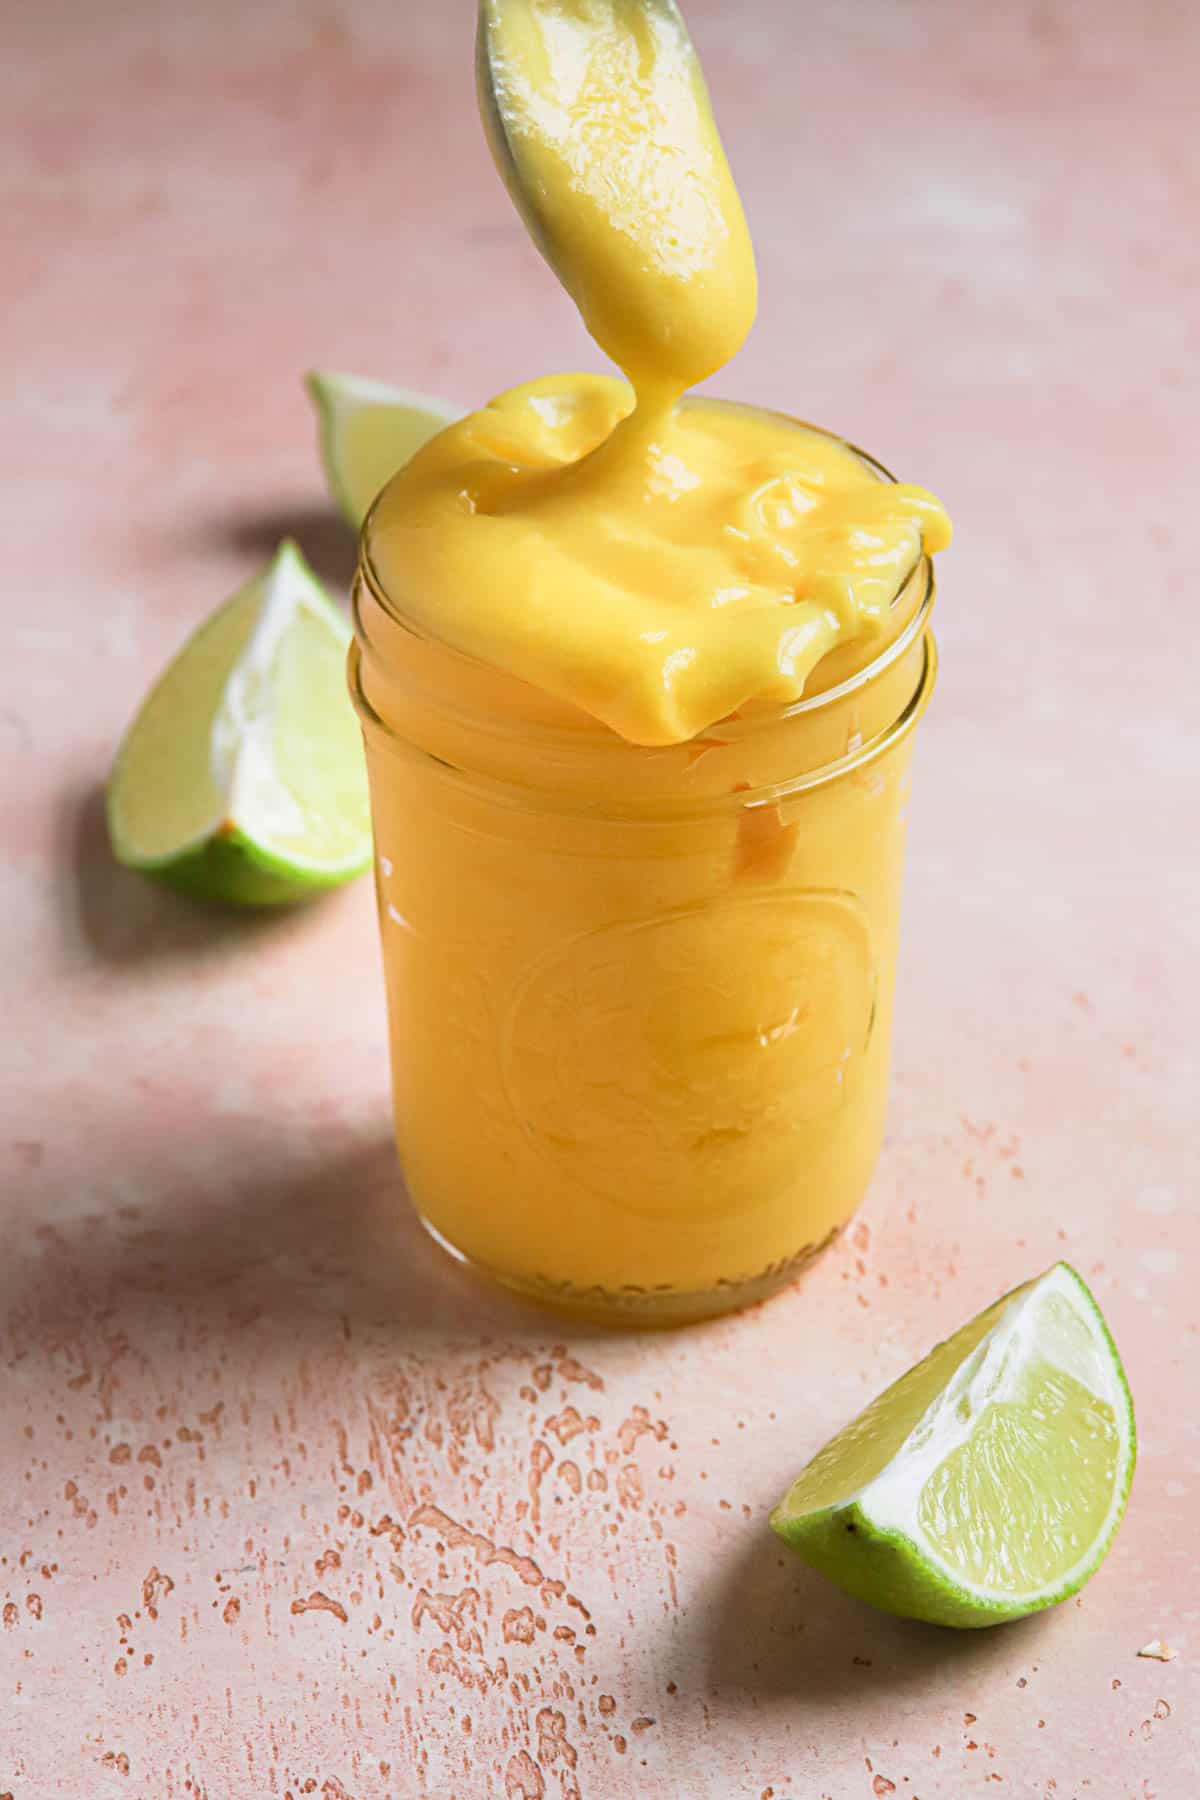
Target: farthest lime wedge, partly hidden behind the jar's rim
[{"x": 368, "y": 431}]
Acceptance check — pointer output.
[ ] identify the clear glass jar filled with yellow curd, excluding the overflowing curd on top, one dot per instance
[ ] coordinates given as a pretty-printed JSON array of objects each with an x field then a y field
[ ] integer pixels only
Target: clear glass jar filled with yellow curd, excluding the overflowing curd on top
[{"x": 640, "y": 1000}]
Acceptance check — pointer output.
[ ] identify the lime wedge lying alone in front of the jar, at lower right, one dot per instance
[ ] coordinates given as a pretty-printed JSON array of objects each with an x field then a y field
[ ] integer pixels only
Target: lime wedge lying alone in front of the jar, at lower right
[{"x": 990, "y": 1480}]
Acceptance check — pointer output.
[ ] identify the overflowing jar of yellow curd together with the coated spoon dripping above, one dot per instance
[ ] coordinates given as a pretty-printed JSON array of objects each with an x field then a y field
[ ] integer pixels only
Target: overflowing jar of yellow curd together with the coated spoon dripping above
[{"x": 638, "y": 679}]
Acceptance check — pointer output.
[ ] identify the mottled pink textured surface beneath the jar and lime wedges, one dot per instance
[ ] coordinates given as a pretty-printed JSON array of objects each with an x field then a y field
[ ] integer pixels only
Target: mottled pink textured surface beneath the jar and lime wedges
[{"x": 292, "y": 1507}]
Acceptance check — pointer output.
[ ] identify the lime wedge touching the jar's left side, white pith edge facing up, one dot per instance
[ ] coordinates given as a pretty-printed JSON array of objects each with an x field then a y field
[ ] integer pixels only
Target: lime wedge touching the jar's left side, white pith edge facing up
[{"x": 244, "y": 778}]
